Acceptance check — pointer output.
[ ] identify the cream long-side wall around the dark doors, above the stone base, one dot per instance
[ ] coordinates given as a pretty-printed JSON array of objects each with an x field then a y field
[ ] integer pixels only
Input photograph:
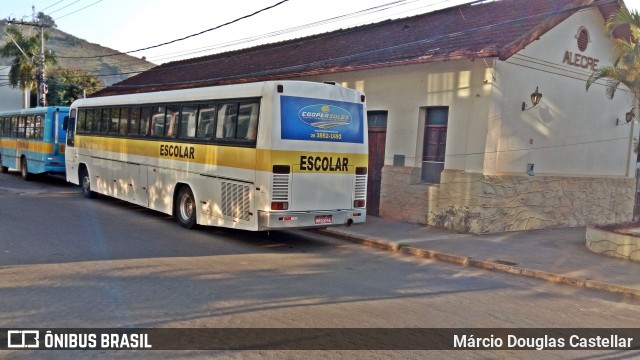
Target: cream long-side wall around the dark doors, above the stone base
[{"x": 405, "y": 91}]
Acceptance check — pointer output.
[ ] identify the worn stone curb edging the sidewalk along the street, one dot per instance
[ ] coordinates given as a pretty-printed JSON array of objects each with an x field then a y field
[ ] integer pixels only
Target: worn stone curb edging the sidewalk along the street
[{"x": 483, "y": 264}]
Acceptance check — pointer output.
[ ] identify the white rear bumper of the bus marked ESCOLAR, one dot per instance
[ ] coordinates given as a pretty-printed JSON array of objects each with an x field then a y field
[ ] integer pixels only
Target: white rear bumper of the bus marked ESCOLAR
[{"x": 310, "y": 219}]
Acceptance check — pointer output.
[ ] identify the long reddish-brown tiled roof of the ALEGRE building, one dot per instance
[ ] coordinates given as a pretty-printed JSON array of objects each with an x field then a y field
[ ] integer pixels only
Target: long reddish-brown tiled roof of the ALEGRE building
[{"x": 479, "y": 30}]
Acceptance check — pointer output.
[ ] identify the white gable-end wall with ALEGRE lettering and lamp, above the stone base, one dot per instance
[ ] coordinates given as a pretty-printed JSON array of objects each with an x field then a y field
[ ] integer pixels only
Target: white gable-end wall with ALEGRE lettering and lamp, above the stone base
[{"x": 572, "y": 132}]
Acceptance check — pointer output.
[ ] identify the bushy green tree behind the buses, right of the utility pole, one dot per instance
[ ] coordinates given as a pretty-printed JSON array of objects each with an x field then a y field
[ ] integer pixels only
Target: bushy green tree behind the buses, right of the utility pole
[{"x": 67, "y": 85}]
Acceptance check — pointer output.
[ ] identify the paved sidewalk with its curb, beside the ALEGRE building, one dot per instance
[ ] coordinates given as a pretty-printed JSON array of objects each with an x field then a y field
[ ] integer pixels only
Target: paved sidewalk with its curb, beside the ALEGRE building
[{"x": 558, "y": 255}]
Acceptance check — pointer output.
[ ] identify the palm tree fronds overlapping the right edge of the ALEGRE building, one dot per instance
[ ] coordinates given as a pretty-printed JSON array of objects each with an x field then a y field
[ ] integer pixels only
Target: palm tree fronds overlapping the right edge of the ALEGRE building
[{"x": 626, "y": 66}]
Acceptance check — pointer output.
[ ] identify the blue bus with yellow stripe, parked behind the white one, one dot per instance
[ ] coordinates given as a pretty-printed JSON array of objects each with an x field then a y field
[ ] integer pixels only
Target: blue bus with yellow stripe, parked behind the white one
[{"x": 32, "y": 140}]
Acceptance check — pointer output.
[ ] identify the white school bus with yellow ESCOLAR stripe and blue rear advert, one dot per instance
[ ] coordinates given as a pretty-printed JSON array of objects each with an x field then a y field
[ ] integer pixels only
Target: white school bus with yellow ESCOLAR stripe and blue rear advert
[{"x": 256, "y": 156}]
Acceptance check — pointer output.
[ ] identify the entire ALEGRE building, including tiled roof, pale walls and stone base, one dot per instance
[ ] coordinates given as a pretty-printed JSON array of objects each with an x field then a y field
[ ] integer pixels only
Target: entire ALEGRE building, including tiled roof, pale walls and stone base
[{"x": 455, "y": 140}]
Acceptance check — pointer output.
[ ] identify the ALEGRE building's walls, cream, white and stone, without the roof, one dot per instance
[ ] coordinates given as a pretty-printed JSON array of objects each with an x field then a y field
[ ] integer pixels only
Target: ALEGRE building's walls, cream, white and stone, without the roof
[{"x": 488, "y": 165}]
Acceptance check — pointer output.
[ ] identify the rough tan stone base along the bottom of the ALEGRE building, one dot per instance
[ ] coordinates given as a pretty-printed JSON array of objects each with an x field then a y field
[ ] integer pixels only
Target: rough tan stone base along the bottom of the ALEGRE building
[{"x": 472, "y": 202}]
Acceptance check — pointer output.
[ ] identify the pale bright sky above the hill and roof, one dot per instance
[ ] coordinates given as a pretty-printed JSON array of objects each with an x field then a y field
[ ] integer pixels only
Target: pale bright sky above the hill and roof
[{"x": 128, "y": 25}]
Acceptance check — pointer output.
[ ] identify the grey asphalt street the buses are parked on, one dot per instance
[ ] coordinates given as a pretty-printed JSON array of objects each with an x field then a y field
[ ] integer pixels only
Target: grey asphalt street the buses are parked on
[{"x": 66, "y": 261}]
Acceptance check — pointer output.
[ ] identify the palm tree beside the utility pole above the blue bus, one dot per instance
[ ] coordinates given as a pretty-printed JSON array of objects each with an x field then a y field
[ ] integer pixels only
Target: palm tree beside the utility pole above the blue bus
[{"x": 25, "y": 51}]
